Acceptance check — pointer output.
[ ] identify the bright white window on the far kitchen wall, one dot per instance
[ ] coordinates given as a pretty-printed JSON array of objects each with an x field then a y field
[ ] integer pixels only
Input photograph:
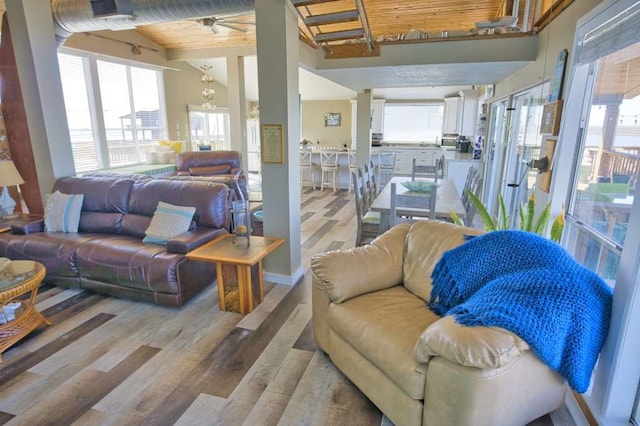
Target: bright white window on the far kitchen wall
[{"x": 413, "y": 122}]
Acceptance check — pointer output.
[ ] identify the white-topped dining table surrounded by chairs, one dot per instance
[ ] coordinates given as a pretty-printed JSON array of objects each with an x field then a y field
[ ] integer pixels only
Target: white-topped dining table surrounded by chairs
[{"x": 447, "y": 200}]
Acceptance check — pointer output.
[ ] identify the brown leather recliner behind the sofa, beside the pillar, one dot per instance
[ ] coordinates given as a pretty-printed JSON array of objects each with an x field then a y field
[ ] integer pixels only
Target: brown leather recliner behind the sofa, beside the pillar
[{"x": 213, "y": 166}]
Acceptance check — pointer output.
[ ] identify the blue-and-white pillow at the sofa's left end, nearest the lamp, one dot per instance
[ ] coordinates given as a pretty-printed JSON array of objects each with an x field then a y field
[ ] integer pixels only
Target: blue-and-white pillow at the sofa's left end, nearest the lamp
[{"x": 62, "y": 212}]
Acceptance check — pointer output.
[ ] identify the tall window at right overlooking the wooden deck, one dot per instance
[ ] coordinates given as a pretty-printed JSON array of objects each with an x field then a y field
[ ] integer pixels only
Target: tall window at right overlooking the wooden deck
[{"x": 603, "y": 220}]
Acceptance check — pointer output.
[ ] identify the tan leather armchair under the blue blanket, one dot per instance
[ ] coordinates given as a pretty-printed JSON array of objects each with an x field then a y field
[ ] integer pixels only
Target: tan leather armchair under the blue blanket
[{"x": 370, "y": 317}]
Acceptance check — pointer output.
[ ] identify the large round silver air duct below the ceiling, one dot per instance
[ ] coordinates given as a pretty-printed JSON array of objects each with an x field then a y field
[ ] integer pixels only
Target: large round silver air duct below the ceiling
[{"x": 76, "y": 16}]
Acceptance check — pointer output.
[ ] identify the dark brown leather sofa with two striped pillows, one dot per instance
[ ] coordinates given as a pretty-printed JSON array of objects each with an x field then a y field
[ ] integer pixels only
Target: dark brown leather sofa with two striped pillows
[{"x": 108, "y": 256}]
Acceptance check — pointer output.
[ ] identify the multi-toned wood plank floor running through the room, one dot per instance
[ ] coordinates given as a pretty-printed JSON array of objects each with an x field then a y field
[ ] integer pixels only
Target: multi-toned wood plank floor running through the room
[{"x": 109, "y": 361}]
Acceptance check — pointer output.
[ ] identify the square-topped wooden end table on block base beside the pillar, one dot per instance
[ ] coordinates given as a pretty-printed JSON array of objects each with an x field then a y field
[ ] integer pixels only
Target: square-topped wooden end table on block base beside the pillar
[{"x": 239, "y": 269}]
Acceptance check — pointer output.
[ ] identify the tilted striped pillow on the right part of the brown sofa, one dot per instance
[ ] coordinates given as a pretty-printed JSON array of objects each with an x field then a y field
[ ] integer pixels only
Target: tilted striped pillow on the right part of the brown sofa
[{"x": 167, "y": 222}]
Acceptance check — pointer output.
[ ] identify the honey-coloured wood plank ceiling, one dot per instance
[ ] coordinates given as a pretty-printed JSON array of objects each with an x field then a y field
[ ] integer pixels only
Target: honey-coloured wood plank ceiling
[{"x": 386, "y": 19}]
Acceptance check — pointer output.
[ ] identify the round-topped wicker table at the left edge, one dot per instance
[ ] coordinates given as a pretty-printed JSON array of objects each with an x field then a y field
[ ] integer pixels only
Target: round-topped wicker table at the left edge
[{"x": 17, "y": 279}]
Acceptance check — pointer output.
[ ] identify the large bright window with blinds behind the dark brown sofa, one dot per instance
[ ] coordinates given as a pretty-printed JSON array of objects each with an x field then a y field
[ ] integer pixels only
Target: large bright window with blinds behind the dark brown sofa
[{"x": 115, "y": 111}]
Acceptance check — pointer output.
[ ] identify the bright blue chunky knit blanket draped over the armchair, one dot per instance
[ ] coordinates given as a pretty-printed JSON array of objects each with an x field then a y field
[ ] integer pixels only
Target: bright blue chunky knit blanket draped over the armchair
[{"x": 532, "y": 287}]
